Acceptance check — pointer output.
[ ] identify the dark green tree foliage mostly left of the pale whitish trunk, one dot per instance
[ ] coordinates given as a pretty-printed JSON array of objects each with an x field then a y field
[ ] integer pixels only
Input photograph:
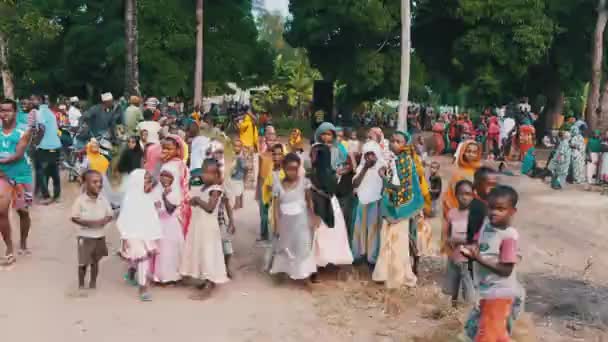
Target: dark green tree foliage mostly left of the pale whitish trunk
[{"x": 357, "y": 43}]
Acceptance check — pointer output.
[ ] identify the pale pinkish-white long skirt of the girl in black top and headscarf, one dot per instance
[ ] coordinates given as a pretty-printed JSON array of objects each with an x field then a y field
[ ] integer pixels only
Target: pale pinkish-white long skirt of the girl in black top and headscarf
[{"x": 330, "y": 245}]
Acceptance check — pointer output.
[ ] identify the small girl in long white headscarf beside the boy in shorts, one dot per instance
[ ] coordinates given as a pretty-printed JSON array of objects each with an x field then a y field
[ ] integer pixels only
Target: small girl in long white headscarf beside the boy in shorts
[{"x": 140, "y": 229}]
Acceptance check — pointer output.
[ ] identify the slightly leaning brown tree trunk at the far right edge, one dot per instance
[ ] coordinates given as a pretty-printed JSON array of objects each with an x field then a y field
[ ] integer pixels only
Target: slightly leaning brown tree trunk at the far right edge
[{"x": 593, "y": 99}]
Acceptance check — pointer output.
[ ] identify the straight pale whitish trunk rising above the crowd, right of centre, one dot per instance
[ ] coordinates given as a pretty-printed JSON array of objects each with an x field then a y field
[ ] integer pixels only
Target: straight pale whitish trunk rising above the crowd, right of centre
[{"x": 405, "y": 64}]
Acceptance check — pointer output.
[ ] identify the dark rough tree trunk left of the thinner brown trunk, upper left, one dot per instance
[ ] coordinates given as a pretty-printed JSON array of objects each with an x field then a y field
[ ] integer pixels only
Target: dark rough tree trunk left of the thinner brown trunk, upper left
[{"x": 132, "y": 55}]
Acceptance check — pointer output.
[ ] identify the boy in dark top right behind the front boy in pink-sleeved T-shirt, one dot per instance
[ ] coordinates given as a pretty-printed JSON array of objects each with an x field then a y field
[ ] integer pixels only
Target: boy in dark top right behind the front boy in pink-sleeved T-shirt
[{"x": 485, "y": 179}]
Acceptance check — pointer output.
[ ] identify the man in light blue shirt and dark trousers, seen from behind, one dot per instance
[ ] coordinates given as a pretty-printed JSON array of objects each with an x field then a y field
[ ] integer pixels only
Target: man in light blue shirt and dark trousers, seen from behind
[{"x": 47, "y": 155}]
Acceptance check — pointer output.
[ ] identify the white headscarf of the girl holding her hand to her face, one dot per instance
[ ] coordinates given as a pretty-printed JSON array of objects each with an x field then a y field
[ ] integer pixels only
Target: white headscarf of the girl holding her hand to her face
[{"x": 370, "y": 189}]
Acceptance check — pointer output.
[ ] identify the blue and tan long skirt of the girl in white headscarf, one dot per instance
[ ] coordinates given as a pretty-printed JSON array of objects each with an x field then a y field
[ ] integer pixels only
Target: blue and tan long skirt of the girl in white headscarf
[{"x": 365, "y": 241}]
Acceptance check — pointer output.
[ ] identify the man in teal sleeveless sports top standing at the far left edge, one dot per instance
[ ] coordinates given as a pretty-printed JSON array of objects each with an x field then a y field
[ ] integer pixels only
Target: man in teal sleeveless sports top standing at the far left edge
[{"x": 15, "y": 178}]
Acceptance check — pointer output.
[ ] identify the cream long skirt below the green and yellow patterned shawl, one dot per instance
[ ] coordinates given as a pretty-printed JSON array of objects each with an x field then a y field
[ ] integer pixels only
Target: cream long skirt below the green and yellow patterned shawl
[{"x": 394, "y": 266}]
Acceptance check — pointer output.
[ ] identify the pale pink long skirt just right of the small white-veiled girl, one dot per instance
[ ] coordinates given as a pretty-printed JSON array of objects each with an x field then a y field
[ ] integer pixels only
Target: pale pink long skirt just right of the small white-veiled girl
[{"x": 170, "y": 248}]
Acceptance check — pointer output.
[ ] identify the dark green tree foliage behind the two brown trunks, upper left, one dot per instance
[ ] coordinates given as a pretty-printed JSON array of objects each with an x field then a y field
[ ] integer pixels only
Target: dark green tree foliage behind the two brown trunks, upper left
[{"x": 86, "y": 56}]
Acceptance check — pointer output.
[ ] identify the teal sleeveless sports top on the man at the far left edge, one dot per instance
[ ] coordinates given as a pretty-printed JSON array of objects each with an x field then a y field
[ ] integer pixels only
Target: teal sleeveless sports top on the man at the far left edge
[{"x": 21, "y": 170}]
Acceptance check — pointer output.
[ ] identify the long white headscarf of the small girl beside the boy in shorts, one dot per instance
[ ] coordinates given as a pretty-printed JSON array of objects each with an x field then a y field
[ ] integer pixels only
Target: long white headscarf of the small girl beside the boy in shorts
[{"x": 138, "y": 218}]
